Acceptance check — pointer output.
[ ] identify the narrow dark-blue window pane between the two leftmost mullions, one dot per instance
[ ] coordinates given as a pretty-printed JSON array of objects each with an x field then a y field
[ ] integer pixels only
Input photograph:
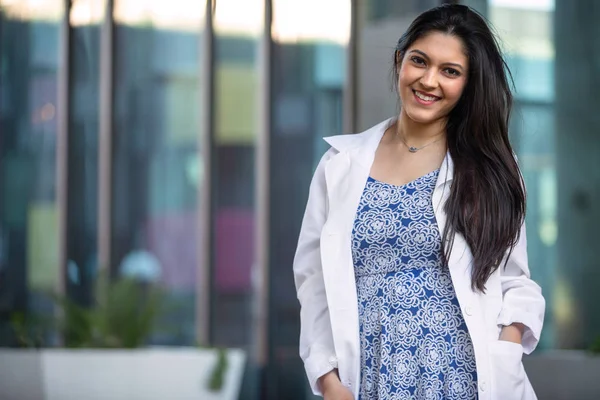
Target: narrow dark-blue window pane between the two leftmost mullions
[{"x": 85, "y": 18}]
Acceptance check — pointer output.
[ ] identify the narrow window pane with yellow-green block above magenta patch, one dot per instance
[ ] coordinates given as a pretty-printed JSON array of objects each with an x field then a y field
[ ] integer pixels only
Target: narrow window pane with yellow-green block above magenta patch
[{"x": 237, "y": 25}]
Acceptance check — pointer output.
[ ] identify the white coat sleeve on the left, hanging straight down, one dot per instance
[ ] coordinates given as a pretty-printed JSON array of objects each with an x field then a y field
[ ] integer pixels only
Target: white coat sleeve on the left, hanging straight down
[{"x": 316, "y": 339}]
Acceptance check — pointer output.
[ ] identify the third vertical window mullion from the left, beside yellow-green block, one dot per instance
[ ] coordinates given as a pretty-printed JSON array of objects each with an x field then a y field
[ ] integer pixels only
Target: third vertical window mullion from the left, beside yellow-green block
[{"x": 205, "y": 203}]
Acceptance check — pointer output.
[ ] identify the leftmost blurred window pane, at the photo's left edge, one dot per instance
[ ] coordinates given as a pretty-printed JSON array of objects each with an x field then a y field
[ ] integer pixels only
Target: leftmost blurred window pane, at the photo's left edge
[{"x": 30, "y": 48}]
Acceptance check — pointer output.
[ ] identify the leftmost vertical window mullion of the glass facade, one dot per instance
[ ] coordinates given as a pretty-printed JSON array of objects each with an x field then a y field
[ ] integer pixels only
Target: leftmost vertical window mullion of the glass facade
[{"x": 62, "y": 147}]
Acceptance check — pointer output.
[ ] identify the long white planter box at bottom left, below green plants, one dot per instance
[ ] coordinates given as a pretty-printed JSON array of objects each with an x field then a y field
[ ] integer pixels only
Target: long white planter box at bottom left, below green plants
[{"x": 144, "y": 374}]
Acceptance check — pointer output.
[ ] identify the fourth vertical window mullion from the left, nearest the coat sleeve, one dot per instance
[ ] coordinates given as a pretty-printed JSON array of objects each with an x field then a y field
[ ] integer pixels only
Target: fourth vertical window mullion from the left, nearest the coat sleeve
[{"x": 262, "y": 193}]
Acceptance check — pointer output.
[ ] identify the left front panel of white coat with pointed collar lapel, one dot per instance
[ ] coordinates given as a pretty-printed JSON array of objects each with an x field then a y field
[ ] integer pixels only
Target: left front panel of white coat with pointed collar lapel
[{"x": 346, "y": 174}]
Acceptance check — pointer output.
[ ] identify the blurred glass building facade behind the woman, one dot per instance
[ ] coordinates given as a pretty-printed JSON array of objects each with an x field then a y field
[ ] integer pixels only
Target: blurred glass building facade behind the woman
[{"x": 173, "y": 141}]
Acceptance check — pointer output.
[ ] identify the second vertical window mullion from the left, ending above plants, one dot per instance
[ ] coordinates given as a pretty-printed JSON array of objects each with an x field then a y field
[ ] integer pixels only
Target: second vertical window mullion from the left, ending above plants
[{"x": 105, "y": 146}]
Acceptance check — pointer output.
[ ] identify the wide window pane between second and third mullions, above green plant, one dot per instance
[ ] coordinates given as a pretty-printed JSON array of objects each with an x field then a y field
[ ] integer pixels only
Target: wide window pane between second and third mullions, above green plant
[{"x": 156, "y": 167}]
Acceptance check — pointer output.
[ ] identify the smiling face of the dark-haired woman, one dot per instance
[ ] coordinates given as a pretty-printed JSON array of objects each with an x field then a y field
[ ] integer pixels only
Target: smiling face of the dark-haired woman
[{"x": 432, "y": 77}]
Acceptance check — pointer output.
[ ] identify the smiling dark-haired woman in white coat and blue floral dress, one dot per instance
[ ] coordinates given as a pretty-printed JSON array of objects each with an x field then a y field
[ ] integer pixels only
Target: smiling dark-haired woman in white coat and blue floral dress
[{"x": 411, "y": 267}]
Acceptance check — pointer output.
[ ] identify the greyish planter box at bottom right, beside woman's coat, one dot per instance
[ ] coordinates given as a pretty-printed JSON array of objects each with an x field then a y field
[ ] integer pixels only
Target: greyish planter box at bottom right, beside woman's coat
[{"x": 564, "y": 374}]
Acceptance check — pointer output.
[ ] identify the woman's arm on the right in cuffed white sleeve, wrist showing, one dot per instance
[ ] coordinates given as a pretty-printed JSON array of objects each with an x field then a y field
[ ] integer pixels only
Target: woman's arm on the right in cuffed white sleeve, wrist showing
[{"x": 523, "y": 305}]
